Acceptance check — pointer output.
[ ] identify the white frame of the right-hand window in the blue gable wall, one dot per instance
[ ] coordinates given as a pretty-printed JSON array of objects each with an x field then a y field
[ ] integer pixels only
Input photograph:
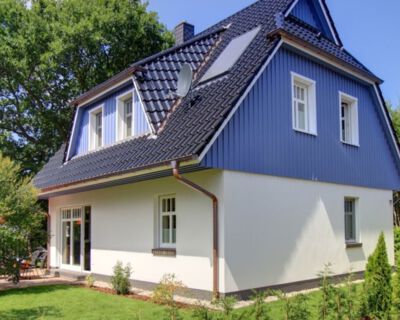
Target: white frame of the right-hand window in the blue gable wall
[{"x": 353, "y": 105}]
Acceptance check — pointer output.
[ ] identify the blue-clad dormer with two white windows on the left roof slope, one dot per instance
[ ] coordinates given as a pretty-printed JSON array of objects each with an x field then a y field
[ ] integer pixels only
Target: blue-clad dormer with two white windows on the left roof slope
[{"x": 114, "y": 116}]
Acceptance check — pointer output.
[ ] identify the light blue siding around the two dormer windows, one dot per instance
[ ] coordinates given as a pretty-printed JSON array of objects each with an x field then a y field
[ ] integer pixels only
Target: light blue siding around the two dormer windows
[{"x": 80, "y": 143}]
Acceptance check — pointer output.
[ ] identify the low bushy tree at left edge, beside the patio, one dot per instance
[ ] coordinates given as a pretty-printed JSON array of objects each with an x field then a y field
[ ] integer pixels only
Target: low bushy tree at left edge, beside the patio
[{"x": 21, "y": 219}]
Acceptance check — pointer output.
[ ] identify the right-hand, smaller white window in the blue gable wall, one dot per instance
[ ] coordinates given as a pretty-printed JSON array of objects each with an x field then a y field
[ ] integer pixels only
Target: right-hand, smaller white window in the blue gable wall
[{"x": 348, "y": 119}]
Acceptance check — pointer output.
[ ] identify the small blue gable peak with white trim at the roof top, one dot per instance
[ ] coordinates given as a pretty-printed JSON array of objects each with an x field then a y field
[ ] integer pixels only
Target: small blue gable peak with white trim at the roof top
[{"x": 315, "y": 14}]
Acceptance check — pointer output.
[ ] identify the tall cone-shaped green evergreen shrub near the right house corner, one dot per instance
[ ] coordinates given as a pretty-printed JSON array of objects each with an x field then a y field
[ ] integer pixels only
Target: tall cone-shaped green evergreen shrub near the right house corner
[{"x": 377, "y": 298}]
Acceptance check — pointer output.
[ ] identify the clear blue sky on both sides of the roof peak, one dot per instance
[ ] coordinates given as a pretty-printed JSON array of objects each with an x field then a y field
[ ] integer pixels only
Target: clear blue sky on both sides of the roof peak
[{"x": 369, "y": 29}]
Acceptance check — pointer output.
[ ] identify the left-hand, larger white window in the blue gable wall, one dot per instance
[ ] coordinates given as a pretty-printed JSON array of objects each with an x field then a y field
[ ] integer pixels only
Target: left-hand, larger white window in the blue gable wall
[{"x": 304, "y": 104}]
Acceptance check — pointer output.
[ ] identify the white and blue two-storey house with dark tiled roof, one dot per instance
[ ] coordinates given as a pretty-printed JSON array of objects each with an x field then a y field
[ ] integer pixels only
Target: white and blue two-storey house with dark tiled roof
[{"x": 280, "y": 159}]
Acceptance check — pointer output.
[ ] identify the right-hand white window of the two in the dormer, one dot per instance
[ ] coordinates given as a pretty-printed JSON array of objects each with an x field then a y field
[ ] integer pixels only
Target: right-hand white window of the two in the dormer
[{"x": 125, "y": 109}]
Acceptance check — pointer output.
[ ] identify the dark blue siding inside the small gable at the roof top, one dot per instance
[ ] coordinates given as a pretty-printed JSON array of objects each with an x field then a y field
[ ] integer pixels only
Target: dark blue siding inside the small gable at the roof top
[{"x": 310, "y": 12}]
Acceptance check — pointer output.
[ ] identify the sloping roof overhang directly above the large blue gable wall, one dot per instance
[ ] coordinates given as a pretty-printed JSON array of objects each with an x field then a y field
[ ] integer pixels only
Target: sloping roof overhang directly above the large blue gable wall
[{"x": 320, "y": 54}]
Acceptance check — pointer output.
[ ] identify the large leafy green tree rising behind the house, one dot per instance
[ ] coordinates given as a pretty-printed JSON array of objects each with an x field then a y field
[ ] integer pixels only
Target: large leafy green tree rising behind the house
[{"x": 53, "y": 50}]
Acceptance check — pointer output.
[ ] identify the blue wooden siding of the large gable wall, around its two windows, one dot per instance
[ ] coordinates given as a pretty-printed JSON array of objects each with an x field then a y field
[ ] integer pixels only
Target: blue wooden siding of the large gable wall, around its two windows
[{"x": 259, "y": 137}]
